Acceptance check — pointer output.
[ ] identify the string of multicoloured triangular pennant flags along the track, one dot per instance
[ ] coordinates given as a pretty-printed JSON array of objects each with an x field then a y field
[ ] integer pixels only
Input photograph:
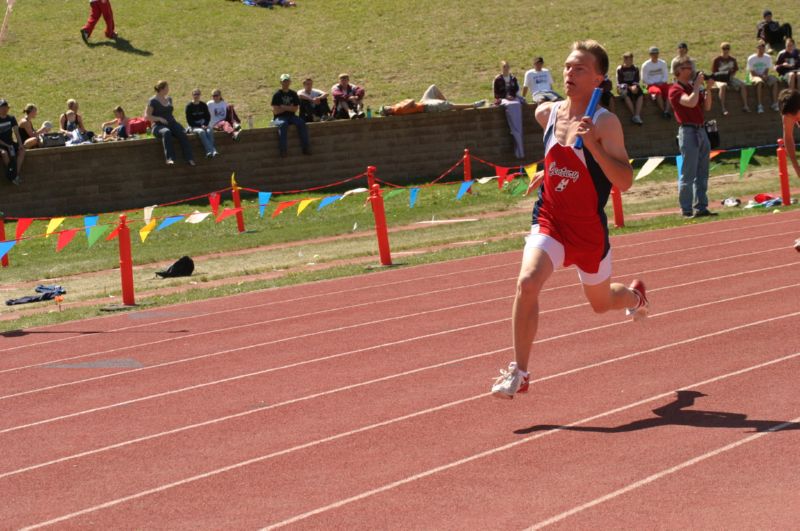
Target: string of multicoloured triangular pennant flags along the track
[{"x": 503, "y": 174}]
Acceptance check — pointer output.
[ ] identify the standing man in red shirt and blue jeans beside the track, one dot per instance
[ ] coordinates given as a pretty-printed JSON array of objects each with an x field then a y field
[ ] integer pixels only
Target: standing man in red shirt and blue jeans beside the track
[{"x": 689, "y": 99}]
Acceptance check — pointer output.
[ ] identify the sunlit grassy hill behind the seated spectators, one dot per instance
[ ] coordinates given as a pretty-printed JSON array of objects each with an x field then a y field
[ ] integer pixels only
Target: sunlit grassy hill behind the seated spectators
[{"x": 394, "y": 48}]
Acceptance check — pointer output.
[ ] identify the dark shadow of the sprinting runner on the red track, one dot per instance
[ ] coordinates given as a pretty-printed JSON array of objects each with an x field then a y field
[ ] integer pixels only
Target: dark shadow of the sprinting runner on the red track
[{"x": 674, "y": 414}]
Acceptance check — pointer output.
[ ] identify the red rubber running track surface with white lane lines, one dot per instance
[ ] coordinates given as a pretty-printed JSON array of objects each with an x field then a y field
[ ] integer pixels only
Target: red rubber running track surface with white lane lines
[{"x": 363, "y": 402}]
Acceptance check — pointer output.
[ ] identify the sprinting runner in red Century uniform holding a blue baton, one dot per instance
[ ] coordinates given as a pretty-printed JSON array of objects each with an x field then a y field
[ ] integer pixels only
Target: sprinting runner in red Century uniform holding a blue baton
[{"x": 569, "y": 222}]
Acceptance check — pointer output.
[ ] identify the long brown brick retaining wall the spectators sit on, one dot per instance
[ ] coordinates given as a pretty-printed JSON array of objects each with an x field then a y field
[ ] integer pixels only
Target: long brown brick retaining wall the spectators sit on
[{"x": 107, "y": 177}]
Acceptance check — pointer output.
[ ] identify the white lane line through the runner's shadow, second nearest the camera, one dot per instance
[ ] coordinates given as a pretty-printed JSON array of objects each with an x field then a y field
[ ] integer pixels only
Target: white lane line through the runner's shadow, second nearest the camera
[{"x": 486, "y": 453}]
